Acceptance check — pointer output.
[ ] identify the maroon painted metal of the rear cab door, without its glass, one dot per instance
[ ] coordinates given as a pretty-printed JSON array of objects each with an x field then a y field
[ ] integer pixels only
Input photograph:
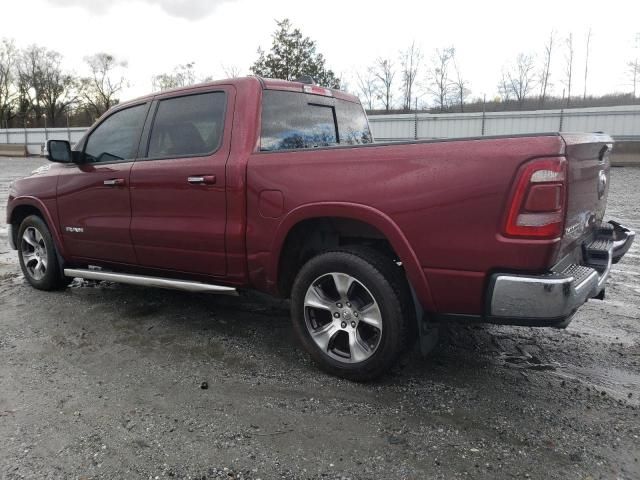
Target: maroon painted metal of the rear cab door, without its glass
[{"x": 176, "y": 225}]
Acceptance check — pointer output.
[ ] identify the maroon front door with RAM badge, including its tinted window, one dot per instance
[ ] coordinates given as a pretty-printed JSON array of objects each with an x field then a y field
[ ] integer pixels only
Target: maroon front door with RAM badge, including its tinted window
[{"x": 94, "y": 208}]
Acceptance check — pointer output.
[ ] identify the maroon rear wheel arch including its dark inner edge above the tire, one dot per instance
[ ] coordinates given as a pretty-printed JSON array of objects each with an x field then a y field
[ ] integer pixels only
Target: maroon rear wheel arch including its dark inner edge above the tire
[{"x": 377, "y": 225}]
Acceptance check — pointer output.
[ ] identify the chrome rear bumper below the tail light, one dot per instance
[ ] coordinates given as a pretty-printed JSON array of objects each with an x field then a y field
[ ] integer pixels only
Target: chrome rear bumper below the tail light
[{"x": 552, "y": 298}]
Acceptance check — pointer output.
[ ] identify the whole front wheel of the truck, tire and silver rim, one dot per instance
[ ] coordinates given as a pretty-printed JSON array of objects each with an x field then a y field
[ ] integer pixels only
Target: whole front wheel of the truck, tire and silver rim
[{"x": 38, "y": 256}]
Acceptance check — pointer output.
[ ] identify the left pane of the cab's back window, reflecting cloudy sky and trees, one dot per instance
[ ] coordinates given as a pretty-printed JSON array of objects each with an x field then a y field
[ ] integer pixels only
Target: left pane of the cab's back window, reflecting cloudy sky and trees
[{"x": 292, "y": 120}]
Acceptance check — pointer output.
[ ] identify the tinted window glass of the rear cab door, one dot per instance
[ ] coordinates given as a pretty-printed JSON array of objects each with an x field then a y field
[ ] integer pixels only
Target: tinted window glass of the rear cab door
[{"x": 188, "y": 126}]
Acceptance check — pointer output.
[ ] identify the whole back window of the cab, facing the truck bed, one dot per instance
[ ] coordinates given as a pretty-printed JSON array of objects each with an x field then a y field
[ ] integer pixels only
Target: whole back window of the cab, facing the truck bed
[{"x": 297, "y": 120}]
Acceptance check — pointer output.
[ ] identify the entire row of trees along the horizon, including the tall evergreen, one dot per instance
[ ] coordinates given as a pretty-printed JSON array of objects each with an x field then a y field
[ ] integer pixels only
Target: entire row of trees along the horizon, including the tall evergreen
[{"x": 36, "y": 91}]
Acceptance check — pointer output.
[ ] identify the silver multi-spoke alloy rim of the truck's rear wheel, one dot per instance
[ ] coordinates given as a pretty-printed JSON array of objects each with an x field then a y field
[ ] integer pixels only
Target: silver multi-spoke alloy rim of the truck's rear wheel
[{"x": 343, "y": 317}]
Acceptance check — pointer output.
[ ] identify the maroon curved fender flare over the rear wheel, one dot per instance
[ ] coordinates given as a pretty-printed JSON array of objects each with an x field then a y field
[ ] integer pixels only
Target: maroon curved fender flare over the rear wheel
[{"x": 362, "y": 213}]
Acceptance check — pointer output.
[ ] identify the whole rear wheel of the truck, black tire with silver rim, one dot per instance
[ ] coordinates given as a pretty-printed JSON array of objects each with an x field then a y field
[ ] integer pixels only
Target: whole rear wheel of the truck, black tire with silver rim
[{"x": 357, "y": 328}]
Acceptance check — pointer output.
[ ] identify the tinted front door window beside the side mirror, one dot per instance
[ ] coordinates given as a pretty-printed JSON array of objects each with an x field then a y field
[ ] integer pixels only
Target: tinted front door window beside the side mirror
[{"x": 117, "y": 137}]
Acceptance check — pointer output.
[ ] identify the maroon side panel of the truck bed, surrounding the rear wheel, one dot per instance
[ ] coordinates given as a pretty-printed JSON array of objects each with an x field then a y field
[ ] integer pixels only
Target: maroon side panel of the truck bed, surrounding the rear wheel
[{"x": 447, "y": 199}]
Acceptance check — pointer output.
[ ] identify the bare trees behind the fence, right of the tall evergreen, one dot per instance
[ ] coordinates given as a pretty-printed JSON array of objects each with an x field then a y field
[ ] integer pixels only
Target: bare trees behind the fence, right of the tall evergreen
[{"x": 436, "y": 82}]
